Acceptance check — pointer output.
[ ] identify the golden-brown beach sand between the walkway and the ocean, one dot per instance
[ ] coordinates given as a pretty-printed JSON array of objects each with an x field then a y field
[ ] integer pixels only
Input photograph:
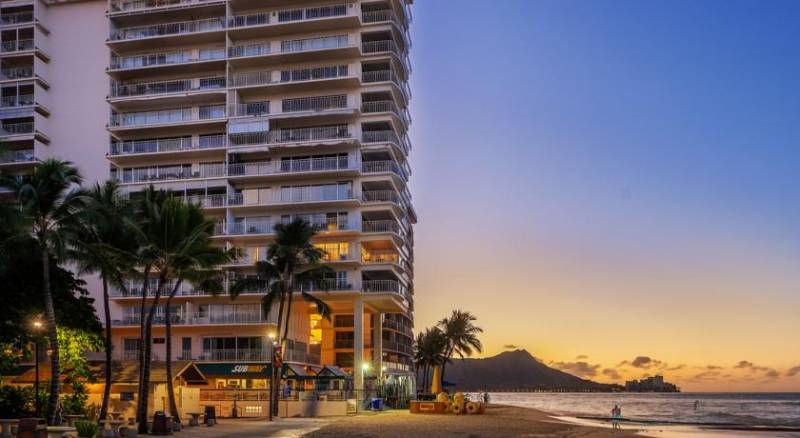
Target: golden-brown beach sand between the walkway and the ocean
[{"x": 498, "y": 421}]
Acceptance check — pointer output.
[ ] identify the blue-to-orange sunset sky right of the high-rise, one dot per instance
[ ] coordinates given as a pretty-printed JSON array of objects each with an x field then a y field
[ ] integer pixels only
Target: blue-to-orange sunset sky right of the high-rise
[{"x": 601, "y": 181}]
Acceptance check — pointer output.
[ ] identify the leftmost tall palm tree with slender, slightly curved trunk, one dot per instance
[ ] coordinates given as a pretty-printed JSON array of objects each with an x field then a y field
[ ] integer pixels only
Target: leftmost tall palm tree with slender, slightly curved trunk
[{"x": 49, "y": 199}]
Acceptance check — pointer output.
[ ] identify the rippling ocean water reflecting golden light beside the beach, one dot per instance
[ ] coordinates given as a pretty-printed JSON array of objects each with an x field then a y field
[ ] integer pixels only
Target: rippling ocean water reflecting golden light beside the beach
[{"x": 724, "y": 409}]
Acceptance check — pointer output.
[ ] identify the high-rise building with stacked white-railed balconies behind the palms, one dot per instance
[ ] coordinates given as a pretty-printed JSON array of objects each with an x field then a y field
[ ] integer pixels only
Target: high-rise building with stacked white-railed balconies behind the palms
[{"x": 261, "y": 111}]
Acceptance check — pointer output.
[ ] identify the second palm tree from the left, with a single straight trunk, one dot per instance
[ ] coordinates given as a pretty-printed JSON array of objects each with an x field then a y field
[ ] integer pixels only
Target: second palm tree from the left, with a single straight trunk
[{"x": 105, "y": 247}]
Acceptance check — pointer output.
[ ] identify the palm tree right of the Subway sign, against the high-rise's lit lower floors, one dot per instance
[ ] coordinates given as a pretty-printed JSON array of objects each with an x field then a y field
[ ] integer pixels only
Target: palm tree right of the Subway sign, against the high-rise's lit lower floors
[{"x": 292, "y": 265}]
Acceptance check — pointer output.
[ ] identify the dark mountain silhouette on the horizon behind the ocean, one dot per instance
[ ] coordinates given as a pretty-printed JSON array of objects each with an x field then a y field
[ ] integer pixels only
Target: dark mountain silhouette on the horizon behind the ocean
[{"x": 515, "y": 370}]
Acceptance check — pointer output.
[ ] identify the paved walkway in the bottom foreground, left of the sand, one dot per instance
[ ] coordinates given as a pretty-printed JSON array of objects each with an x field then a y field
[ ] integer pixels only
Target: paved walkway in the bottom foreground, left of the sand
[{"x": 255, "y": 428}]
